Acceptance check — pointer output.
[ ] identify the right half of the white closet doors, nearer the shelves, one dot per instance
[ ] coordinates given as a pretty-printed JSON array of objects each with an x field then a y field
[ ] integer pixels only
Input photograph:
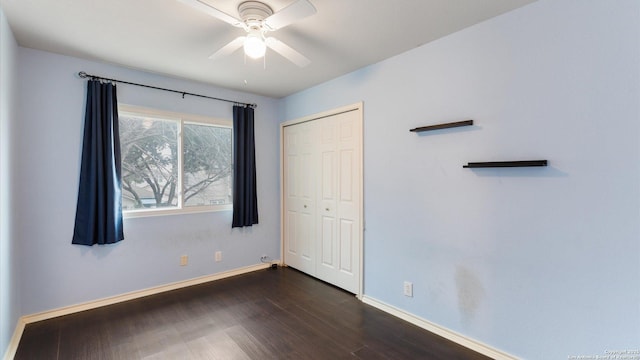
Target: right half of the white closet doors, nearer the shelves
[{"x": 338, "y": 240}]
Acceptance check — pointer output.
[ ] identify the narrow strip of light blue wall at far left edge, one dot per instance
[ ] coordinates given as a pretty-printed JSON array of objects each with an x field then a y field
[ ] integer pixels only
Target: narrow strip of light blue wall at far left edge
[{"x": 9, "y": 288}]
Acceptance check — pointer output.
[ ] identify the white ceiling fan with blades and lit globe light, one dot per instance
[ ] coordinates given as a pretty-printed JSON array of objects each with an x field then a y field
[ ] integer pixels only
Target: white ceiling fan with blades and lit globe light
[{"x": 257, "y": 19}]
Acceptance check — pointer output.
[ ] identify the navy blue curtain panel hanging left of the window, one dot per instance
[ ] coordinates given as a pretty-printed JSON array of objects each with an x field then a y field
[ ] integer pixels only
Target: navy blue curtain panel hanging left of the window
[{"x": 99, "y": 209}]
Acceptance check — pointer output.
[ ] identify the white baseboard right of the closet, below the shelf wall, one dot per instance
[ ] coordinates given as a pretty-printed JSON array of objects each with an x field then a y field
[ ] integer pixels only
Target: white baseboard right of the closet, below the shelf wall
[{"x": 439, "y": 330}]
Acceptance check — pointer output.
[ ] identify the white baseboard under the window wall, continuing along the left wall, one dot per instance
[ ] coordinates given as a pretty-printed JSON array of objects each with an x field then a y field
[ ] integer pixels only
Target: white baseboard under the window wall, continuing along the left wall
[{"x": 27, "y": 319}]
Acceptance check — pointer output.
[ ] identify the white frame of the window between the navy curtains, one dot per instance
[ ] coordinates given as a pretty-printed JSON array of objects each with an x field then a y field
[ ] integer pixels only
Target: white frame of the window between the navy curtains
[{"x": 181, "y": 119}]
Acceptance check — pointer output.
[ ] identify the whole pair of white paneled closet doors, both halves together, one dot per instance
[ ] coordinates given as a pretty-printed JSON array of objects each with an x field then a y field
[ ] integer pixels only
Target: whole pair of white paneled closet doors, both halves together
[{"x": 322, "y": 197}]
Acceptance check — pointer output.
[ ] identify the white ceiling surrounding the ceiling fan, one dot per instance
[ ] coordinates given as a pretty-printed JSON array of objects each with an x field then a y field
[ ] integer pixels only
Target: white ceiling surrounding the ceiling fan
[{"x": 171, "y": 38}]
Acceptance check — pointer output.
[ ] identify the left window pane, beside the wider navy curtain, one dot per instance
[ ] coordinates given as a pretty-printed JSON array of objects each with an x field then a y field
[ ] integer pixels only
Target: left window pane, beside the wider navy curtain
[{"x": 149, "y": 162}]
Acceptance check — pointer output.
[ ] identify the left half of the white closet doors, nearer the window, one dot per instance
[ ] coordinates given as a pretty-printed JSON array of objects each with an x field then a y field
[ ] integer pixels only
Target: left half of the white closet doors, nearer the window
[{"x": 300, "y": 197}]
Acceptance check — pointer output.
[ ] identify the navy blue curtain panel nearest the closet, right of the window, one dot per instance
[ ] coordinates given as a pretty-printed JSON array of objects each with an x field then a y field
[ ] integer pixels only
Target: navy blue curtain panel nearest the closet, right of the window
[{"x": 245, "y": 199}]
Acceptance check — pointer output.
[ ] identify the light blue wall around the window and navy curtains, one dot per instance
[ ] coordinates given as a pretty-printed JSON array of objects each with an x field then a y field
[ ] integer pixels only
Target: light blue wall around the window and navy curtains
[{"x": 54, "y": 273}]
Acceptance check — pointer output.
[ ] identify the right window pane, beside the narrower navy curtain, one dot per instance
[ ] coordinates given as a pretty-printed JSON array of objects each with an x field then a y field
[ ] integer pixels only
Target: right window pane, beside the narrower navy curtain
[{"x": 207, "y": 165}]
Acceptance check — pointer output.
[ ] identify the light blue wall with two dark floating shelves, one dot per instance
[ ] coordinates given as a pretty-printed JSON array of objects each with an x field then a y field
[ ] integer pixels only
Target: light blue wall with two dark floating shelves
[{"x": 542, "y": 263}]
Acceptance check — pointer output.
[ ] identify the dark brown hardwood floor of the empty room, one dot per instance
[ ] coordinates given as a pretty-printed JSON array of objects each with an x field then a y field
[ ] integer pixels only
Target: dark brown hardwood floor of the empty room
[{"x": 269, "y": 314}]
